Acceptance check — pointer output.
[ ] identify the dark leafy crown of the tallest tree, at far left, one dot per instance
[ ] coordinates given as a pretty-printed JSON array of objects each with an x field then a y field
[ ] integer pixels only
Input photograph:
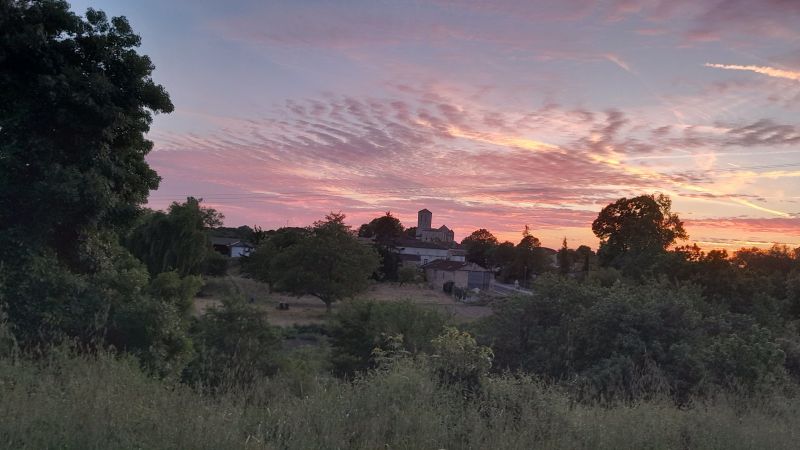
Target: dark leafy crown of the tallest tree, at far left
[{"x": 75, "y": 101}]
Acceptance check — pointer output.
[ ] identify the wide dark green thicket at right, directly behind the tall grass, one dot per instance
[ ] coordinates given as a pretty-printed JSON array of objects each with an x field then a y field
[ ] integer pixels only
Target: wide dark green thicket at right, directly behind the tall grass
[{"x": 631, "y": 341}]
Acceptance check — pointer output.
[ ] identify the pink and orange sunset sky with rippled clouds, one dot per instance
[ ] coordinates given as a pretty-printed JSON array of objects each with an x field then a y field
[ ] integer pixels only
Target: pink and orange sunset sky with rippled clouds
[{"x": 490, "y": 114}]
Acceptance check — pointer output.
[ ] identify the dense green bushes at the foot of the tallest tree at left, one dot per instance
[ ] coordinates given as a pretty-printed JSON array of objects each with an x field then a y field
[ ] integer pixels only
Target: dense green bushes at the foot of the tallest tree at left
[{"x": 116, "y": 304}]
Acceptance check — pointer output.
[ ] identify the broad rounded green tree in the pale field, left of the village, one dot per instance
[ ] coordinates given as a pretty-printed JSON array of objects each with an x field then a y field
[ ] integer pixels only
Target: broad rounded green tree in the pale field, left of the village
[{"x": 330, "y": 263}]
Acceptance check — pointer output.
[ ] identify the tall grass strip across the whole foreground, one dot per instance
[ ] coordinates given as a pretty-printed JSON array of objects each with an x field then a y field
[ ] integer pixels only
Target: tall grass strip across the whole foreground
[{"x": 87, "y": 402}]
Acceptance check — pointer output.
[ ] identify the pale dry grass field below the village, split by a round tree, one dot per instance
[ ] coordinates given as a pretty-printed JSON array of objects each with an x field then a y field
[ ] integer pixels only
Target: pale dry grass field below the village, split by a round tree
[{"x": 310, "y": 310}]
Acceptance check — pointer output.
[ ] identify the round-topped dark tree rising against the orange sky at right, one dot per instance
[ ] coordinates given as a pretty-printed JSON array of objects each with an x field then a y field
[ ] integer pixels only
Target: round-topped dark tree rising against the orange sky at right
[{"x": 634, "y": 228}]
